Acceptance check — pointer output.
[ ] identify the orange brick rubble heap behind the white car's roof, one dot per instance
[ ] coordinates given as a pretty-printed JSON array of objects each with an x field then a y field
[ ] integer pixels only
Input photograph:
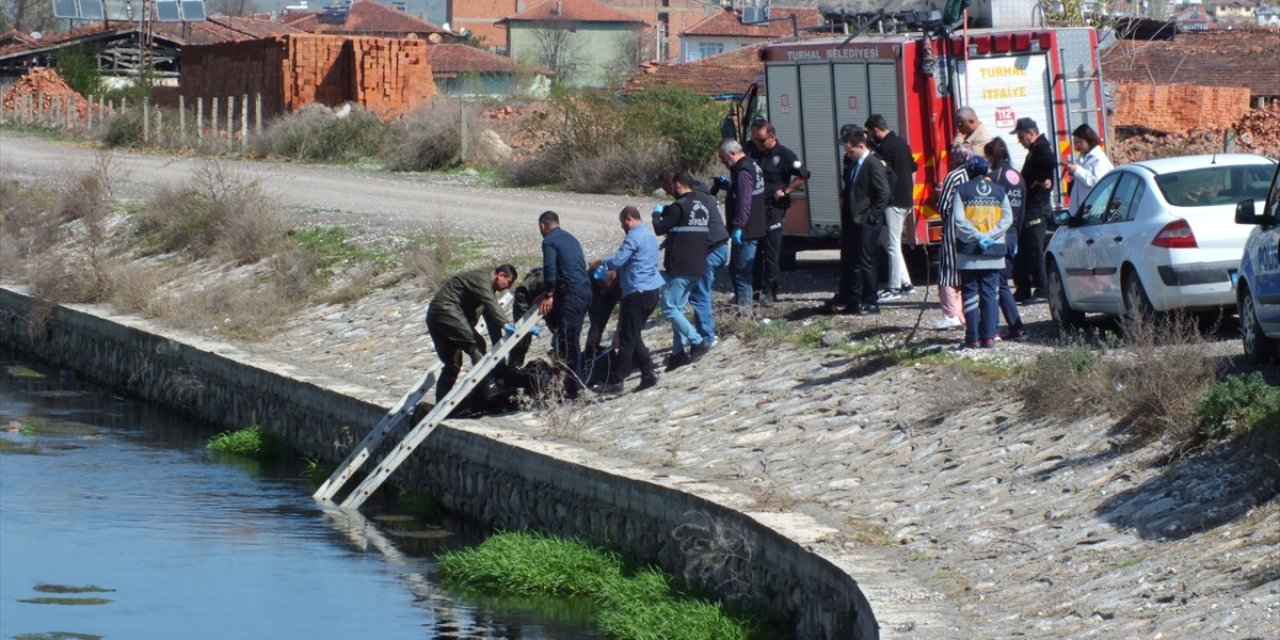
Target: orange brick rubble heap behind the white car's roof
[{"x": 1258, "y": 132}]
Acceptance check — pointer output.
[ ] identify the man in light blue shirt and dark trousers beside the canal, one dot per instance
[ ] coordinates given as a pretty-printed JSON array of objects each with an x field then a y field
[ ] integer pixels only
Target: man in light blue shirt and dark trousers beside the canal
[{"x": 637, "y": 264}]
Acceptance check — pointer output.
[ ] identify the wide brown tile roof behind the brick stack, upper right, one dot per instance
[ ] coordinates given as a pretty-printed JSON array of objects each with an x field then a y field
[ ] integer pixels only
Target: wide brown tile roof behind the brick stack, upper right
[{"x": 1223, "y": 60}]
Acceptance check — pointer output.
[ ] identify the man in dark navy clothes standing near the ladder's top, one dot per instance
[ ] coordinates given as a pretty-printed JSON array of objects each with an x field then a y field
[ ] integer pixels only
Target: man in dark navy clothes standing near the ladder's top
[{"x": 569, "y": 295}]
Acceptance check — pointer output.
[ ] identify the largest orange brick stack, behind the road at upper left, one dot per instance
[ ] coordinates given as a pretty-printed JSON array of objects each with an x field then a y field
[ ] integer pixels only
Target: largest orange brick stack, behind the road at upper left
[{"x": 388, "y": 76}]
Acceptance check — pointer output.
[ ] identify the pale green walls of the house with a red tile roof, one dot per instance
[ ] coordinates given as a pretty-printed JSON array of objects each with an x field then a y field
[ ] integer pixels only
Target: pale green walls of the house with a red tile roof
[{"x": 596, "y": 48}]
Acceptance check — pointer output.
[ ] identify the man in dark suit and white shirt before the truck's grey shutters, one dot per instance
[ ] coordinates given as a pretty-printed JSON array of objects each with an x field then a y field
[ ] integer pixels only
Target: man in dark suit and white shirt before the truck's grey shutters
[{"x": 865, "y": 198}]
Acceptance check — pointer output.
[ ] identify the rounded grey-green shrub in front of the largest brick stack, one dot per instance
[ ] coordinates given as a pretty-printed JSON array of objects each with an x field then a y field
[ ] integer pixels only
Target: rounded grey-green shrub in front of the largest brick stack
[{"x": 317, "y": 135}]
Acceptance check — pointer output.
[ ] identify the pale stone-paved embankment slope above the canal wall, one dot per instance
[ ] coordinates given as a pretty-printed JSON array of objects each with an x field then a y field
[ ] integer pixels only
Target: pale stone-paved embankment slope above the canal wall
[{"x": 963, "y": 519}]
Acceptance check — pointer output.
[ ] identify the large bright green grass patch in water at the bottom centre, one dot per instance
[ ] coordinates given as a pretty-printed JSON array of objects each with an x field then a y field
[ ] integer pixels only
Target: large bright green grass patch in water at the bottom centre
[{"x": 644, "y": 606}]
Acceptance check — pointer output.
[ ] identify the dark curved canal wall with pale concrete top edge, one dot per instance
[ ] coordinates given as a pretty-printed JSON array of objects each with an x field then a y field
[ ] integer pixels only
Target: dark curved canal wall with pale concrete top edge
[{"x": 491, "y": 472}]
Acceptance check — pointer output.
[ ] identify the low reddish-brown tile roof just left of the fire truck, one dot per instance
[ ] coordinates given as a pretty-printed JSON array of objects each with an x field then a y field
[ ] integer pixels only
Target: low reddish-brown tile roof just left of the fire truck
[{"x": 729, "y": 74}]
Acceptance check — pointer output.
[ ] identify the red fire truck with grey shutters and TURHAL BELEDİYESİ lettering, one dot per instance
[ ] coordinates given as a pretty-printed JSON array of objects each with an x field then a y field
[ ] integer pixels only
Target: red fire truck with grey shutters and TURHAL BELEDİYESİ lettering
[{"x": 813, "y": 88}]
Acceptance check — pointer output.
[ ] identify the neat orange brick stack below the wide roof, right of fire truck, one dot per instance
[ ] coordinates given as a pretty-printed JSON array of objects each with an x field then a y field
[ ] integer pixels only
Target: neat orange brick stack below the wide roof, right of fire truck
[{"x": 1177, "y": 108}]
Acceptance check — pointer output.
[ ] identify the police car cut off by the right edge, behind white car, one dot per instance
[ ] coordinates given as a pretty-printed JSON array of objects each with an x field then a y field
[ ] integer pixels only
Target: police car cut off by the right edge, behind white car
[{"x": 1258, "y": 286}]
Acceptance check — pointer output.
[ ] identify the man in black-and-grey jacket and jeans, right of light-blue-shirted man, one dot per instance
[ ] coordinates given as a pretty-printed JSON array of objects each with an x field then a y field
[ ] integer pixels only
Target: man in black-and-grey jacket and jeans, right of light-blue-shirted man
[{"x": 687, "y": 225}]
